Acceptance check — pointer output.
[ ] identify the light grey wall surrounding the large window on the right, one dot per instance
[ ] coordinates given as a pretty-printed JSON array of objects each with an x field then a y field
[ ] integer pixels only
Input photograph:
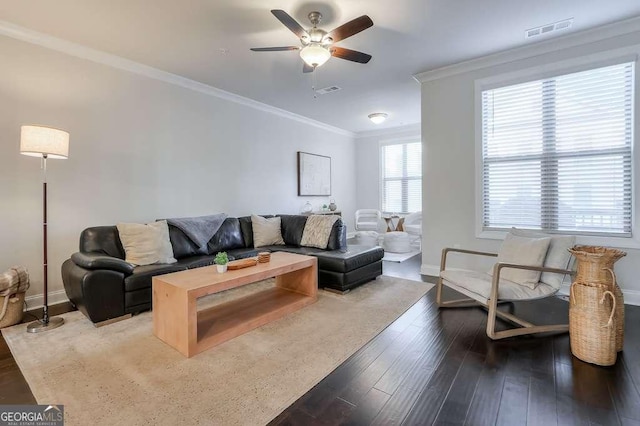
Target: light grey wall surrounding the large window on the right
[{"x": 449, "y": 169}]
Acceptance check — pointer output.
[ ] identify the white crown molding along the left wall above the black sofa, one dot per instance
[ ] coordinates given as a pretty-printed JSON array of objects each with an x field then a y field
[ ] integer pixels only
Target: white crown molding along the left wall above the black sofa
[{"x": 73, "y": 49}]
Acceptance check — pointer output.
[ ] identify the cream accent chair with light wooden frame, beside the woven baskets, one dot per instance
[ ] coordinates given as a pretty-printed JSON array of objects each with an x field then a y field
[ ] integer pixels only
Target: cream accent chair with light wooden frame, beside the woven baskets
[{"x": 487, "y": 290}]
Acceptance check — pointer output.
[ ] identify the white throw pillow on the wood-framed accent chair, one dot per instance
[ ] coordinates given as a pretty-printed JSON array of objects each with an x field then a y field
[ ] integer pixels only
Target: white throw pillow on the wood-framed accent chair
[{"x": 522, "y": 251}]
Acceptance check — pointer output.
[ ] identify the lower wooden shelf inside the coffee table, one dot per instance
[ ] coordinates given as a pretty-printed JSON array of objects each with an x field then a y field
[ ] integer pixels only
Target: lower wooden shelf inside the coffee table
[{"x": 226, "y": 321}]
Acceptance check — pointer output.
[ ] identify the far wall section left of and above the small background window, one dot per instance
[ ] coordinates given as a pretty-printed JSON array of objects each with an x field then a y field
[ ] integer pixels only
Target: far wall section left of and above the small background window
[{"x": 368, "y": 162}]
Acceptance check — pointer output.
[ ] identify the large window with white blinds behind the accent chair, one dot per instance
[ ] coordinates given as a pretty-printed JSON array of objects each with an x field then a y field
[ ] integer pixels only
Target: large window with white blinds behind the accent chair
[{"x": 556, "y": 153}]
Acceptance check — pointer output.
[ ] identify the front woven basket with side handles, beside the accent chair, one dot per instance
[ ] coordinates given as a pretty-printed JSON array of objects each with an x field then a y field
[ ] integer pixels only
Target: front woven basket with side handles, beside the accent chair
[{"x": 592, "y": 330}]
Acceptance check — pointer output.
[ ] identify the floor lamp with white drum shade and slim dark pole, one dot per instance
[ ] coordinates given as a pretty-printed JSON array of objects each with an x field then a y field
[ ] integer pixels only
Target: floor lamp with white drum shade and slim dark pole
[{"x": 44, "y": 142}]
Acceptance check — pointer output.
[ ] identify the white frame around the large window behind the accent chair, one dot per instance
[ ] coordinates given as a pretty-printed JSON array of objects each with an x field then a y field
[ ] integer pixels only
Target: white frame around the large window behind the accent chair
[{"x": 617, "y": 56}]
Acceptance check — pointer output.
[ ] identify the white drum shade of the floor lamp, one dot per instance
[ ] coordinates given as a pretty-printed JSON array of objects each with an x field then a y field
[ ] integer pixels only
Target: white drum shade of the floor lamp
[{"x": 38, "y": 141}]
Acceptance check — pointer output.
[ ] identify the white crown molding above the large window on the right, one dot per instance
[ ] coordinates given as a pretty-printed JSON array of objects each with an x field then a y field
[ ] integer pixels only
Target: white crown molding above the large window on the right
[{"x": 593, "y": 35}]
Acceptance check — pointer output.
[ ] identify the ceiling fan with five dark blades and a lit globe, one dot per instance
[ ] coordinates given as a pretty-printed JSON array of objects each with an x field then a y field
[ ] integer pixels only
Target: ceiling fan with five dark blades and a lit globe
[{"x": 318, "y": 44}]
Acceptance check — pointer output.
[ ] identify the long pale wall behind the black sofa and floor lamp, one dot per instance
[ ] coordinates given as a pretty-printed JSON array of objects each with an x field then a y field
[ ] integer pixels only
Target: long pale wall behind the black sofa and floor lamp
[{"x": 140, "y": 149}]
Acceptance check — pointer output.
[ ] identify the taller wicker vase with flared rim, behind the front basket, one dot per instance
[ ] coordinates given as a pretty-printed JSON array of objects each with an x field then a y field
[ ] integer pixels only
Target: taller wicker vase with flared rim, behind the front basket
[{"x": 595, "y": 268}]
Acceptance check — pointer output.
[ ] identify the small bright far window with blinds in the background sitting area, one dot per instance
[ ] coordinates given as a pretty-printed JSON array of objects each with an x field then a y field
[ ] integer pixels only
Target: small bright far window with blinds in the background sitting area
[{"x": 401, "y": 183}]
